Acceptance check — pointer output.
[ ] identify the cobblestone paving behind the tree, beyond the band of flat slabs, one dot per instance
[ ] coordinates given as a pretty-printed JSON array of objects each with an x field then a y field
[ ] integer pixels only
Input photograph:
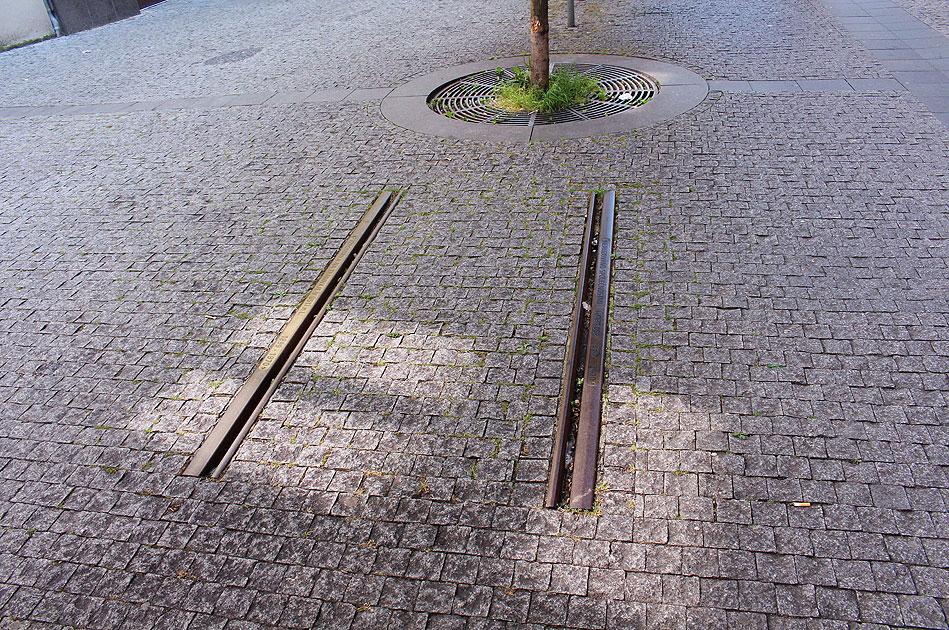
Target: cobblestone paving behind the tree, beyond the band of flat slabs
[{"x": 199, "y": 48}]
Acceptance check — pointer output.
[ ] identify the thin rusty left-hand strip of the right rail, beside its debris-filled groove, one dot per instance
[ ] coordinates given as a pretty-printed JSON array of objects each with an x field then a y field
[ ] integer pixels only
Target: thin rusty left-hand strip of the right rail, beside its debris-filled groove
[{"x": 571, "y": 363}]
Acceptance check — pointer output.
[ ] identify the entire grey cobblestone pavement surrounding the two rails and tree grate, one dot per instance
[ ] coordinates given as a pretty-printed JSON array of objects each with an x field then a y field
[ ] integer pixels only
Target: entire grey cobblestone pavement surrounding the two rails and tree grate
[{"x": 774, "y": 452}]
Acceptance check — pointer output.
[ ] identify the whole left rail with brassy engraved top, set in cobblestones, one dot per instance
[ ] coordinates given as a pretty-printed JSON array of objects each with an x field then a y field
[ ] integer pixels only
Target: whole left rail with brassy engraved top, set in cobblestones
[{"x": 222, "y": 442}]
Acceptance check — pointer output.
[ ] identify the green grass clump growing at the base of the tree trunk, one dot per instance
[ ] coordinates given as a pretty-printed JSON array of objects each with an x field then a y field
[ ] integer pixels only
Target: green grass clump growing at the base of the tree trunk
[{"x": 567, "y": 87}]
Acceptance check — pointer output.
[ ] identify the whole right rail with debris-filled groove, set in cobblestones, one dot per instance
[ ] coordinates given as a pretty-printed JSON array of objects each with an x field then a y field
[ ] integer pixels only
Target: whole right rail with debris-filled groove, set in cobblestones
[{"x": 589, "y": 333}]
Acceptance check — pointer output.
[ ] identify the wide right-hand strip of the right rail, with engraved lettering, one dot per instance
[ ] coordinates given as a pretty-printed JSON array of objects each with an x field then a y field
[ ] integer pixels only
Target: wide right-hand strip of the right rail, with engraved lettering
[{"x": 588, "y": 425}]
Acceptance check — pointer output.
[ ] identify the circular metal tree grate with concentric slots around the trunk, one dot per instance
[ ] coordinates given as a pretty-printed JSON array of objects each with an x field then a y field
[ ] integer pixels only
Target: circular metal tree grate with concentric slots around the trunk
[{"x": 471, "y": 98}]
